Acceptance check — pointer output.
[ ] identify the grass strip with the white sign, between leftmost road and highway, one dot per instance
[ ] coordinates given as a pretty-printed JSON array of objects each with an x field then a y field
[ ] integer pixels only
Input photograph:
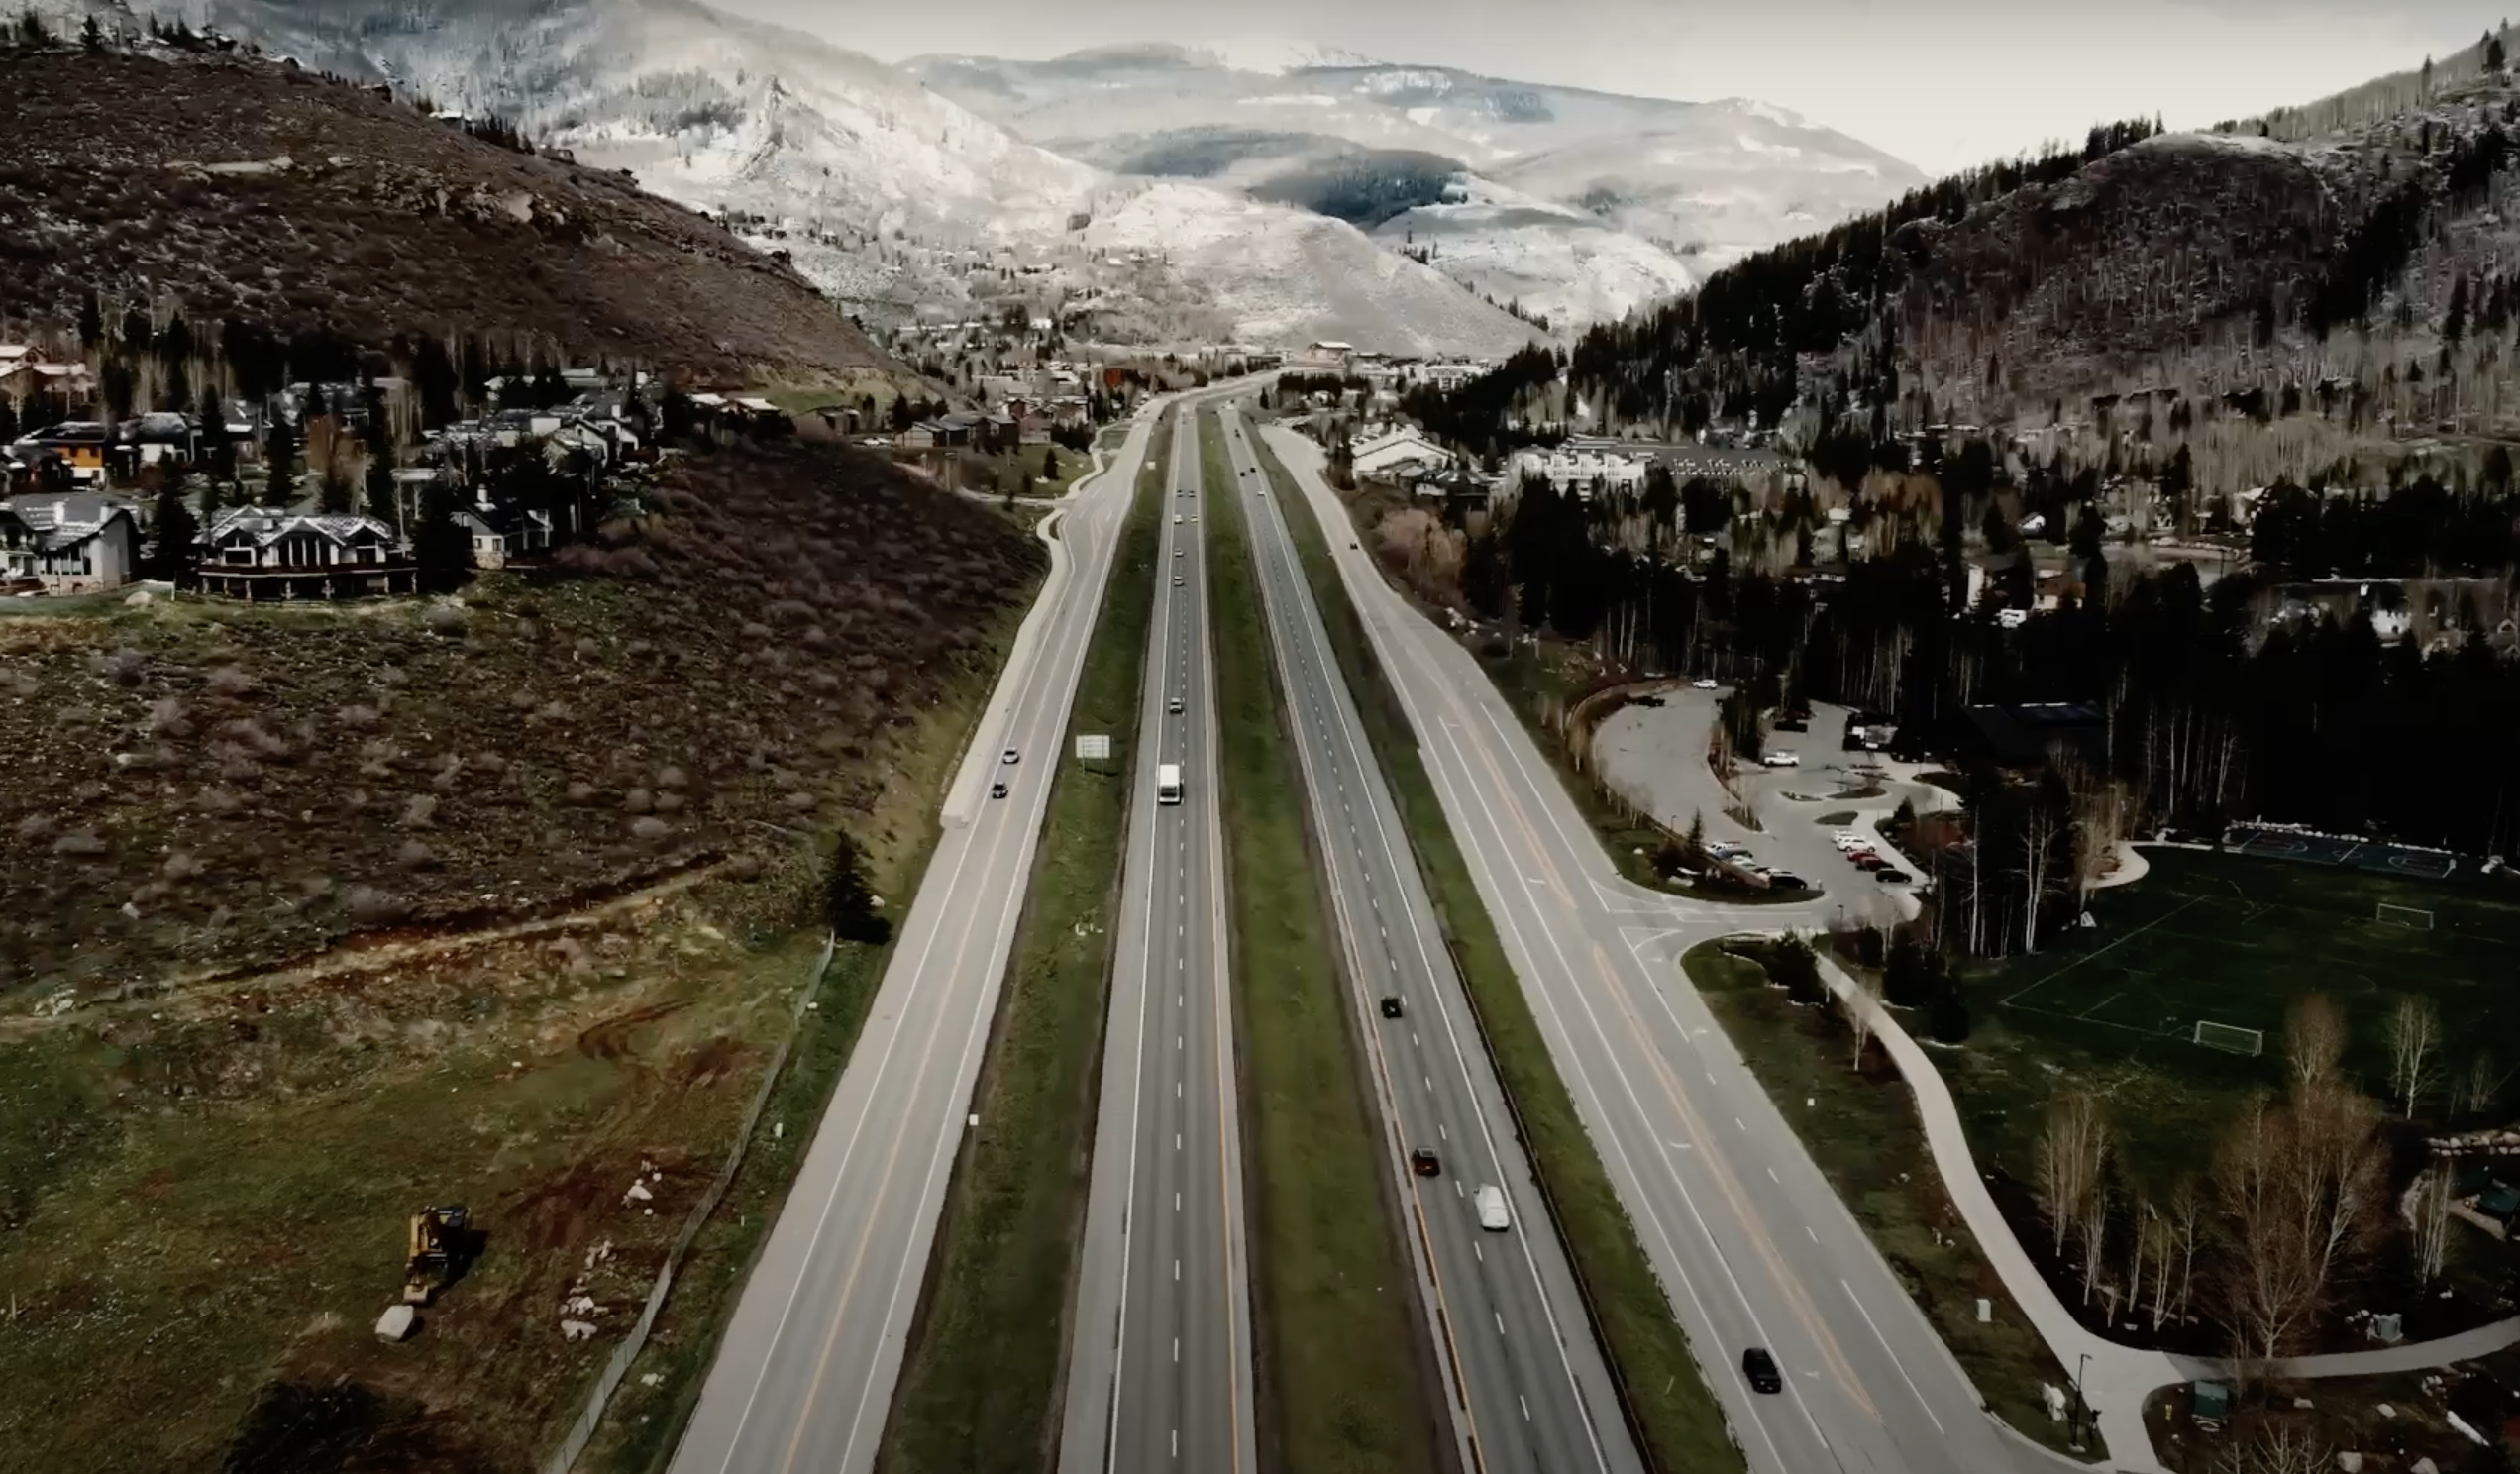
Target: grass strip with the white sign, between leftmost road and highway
[{"x": 982, "y": 1380}]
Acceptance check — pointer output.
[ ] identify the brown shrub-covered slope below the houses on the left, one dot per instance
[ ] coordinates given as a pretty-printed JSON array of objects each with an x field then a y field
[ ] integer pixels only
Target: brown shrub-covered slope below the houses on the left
[{"x": 205, "y": 790}]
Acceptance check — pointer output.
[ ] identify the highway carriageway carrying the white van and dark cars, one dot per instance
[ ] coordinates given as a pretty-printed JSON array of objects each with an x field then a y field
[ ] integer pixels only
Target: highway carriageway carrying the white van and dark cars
[{"x": 1526, "y": 1377}]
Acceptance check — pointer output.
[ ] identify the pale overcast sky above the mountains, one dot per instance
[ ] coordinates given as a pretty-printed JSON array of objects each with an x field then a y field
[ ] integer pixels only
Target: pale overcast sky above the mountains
[{"x": 1942, "y": 84}]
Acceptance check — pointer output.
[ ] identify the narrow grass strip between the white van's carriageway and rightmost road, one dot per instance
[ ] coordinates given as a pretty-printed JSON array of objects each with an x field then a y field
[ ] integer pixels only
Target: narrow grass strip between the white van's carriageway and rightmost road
[{"x": 1649, "y": 1354}]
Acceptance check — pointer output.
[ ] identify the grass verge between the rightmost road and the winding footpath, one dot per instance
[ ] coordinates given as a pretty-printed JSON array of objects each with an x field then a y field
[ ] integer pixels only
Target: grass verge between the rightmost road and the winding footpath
[{"x": 1864, "y": 1133}]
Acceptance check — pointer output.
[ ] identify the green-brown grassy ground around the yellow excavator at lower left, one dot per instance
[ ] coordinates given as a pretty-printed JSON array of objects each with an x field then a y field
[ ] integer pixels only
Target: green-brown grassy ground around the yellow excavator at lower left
[{"x": 205, "y": 1198}]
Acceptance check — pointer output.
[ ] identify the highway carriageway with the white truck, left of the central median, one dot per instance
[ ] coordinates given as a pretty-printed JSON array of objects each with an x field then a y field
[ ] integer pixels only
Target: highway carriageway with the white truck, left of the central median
[{"x": 1160, "y": 1369}]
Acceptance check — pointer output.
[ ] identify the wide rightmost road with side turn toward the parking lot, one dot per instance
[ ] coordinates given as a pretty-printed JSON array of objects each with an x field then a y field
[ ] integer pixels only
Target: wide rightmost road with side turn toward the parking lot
[{"x": 1750, "y": 1241}]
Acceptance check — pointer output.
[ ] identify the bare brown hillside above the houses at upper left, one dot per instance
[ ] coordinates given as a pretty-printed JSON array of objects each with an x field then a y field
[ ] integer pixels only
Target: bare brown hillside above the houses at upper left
[{"x": 362, "y": 215}]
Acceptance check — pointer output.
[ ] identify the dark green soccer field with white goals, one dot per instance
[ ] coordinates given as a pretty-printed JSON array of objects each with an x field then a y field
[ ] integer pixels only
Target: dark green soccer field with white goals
[{"x": 2231, "y": 941}]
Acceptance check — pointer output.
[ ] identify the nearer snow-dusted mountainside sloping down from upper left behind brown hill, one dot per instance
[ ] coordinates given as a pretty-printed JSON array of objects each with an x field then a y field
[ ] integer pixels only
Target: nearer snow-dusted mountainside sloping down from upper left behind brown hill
[{"x": 886, "y": 193}]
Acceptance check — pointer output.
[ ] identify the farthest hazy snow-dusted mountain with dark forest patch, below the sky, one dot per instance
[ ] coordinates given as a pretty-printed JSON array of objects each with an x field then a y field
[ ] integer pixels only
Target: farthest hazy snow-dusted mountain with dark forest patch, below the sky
[{"x": 1574, "y": 203}]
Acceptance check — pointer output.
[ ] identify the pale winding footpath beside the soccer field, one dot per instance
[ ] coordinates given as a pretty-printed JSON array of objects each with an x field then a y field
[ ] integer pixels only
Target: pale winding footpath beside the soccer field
[{"x": 2118, "y": 1377}]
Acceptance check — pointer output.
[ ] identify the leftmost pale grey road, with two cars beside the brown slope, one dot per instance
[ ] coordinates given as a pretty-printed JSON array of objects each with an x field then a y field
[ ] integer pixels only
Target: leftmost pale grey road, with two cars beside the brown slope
[{"x": 805, "y": 1374}]
